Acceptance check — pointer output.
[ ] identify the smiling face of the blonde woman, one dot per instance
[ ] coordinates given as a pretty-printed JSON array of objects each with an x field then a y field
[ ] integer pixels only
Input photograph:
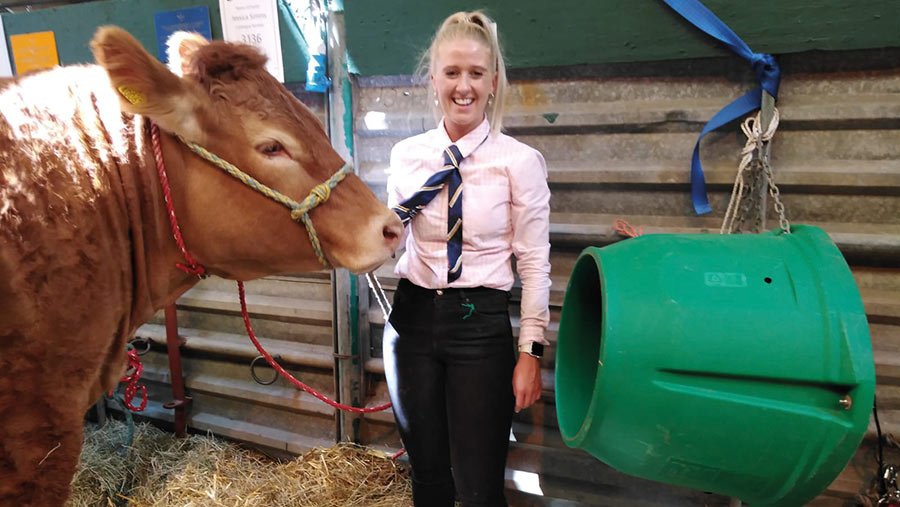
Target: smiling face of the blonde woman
[{"x": 463, "y": 78}]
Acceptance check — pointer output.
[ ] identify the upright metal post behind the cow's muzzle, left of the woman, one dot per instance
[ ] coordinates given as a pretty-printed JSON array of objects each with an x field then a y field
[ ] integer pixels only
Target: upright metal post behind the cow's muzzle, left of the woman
[{"x": 350, "y": 302}]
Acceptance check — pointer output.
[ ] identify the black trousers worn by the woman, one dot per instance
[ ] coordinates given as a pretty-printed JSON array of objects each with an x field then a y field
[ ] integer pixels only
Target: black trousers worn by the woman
[{"x": 449, "y": 357}]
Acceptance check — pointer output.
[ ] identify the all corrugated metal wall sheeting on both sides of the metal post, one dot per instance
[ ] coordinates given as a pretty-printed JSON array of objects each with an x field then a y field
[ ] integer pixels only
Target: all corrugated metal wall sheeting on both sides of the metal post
[{"x": 617, "y": 140}]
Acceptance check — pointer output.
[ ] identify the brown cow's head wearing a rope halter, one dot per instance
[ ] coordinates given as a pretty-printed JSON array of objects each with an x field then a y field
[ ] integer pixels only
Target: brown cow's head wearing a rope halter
[{"x": 223, "y": 99}]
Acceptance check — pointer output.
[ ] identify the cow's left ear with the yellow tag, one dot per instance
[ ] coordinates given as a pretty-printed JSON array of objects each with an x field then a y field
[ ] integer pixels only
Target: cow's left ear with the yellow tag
[{"x": 146, "y": 86}]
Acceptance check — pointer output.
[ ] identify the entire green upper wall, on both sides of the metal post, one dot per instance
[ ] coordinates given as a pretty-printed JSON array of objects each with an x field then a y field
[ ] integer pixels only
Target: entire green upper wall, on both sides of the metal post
[{"x": 385, "y": 37}]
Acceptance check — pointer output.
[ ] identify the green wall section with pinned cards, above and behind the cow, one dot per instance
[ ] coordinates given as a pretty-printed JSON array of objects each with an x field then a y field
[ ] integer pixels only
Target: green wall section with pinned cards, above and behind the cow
[{"x": 74, "y": 25}]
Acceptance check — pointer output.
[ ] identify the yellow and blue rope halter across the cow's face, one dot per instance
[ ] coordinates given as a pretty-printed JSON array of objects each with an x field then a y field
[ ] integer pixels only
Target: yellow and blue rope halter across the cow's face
[{"x": 299, "y": 210}]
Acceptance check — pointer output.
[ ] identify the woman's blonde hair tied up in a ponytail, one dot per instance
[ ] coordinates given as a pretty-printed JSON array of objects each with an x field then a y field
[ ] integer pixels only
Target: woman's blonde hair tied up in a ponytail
[{"x": 475, "y": 25}]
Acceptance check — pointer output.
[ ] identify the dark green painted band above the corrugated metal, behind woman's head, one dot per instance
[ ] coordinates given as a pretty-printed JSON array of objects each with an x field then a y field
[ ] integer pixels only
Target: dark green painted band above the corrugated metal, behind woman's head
[{"x": 386, "y": 37}]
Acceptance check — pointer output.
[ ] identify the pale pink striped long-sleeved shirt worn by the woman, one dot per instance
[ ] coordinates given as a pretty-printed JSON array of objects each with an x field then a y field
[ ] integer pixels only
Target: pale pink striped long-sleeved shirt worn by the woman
[{"x": 506, "y": 212}]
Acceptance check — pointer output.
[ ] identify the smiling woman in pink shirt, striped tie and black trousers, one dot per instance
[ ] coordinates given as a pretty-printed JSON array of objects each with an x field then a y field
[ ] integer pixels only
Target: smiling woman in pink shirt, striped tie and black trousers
[{"x": 453, "y": 375}]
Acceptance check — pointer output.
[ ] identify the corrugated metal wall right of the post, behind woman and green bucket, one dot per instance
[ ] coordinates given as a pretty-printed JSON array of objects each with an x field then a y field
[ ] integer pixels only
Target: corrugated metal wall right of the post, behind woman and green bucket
[{"x": 618, "y": 141}]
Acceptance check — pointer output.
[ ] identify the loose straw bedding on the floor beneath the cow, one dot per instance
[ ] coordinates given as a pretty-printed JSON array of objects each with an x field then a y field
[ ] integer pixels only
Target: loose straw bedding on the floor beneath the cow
[{"x": 160, "y": 470}]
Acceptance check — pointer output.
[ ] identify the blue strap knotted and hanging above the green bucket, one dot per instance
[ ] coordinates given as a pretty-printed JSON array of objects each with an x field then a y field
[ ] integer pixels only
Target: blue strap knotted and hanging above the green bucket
[{"x": 768, "y": 74}]
